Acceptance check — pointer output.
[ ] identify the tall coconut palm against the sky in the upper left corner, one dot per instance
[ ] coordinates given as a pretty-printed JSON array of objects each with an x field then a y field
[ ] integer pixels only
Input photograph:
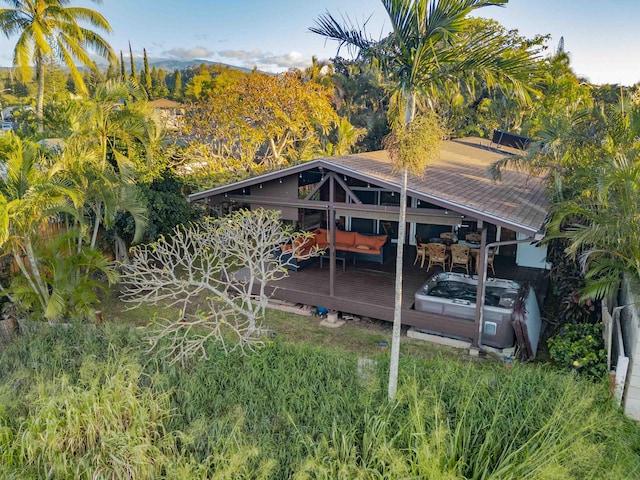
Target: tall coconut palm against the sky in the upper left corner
[{"x": 51, "y": 28}]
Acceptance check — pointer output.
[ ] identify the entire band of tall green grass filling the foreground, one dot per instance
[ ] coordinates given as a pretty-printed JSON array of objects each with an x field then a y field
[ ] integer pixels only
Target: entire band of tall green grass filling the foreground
[{"x": 78, "y": 403}]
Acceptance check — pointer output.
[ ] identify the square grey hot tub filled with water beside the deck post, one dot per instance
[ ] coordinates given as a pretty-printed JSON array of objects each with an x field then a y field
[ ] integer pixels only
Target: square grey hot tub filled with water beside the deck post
[{"x": 454, "y": 295}]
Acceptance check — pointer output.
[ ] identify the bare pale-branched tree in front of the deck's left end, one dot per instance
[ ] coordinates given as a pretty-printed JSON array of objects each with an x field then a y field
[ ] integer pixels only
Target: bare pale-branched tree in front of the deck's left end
[{"x": 219, "y": 273}]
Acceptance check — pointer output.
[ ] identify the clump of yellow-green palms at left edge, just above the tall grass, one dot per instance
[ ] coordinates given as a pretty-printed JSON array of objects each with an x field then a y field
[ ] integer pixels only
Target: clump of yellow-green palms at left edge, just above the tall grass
[{"x": 56, "y": 278}]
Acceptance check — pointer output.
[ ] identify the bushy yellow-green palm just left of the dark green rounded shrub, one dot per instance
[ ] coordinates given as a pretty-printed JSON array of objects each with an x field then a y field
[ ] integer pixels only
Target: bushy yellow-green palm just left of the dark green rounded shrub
[{"x": 115, "y": 128}]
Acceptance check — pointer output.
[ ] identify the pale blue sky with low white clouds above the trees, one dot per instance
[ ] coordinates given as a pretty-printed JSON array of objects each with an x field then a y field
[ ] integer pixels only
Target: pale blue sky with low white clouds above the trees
[{"x": 602, "y": 37}]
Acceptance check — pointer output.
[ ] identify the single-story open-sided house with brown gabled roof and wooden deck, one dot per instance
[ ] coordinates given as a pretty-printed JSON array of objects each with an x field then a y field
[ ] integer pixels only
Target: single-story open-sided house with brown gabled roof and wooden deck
[{"x": 360, "y": 193}]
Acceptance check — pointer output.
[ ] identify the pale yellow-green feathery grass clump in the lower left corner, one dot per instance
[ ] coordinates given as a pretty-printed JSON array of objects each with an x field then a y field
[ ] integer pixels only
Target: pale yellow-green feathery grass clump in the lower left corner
[{"x": 106, "y": 425}]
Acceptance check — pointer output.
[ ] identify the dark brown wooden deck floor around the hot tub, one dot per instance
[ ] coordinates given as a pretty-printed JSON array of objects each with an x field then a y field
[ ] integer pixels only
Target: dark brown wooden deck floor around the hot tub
[{"x": 367, "y": 289}]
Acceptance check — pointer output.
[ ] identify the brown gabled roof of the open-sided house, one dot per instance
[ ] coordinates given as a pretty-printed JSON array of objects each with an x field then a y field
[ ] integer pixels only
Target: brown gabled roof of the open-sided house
[{"x": 457, "y": 180}]
